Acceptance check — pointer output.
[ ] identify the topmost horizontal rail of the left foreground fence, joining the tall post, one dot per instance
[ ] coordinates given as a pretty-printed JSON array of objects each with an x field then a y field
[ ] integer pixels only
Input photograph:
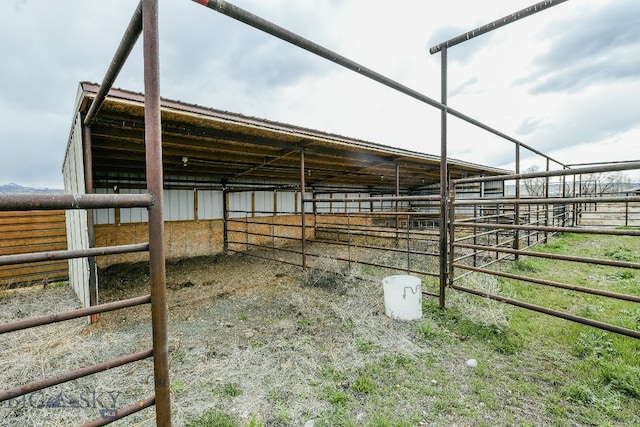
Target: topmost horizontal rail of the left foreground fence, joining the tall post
[{"x": 25, "y": 202}]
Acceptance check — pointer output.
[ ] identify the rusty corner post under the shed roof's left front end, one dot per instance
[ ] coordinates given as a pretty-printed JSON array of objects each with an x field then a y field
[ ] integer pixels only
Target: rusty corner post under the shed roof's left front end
[{"x": 88, "y": 189}]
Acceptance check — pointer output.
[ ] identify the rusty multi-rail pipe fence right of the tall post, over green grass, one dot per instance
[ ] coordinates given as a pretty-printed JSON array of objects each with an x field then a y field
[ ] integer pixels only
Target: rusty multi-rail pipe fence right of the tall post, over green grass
[{"x": 479, "y": 243}]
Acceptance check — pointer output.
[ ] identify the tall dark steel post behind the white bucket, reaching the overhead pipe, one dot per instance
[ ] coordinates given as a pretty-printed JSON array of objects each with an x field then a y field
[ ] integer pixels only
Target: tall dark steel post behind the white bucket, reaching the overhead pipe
[{"x": 443, "y": 178}]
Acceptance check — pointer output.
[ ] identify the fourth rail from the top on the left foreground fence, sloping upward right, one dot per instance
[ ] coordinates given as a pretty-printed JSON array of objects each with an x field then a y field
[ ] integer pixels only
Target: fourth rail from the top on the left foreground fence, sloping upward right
[{"x": 73, "y": 375}]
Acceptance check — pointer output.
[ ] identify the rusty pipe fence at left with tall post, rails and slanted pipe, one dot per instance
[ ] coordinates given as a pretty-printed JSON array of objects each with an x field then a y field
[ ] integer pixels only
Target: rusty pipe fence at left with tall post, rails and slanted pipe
[{"x": 145, "y": 21}]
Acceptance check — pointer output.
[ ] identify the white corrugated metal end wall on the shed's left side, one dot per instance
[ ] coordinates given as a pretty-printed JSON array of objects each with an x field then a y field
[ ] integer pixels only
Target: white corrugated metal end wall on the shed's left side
[{"x": 77, "y": 236}]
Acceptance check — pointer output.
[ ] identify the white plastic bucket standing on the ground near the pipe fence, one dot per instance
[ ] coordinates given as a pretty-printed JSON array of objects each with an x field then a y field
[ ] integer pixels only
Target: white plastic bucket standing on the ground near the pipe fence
[{"x": 402, "y": 297}]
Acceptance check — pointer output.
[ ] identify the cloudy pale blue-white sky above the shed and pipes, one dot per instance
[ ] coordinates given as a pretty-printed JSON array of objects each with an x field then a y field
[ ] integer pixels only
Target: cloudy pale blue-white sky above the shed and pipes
[{"x": 565, "y": 81}]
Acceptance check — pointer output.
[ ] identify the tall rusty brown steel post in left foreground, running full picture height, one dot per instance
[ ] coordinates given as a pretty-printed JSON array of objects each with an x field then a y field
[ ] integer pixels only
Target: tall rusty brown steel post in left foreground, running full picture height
[{"x": 157, "y": 273}]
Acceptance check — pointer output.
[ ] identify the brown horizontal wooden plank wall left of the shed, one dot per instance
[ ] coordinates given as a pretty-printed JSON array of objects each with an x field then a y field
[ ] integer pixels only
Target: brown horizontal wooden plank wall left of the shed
[{"x": 33, "y": 231}]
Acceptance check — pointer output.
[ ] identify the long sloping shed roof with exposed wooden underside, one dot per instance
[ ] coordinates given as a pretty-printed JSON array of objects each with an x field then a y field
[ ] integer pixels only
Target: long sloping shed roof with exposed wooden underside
[{"x": 220, "y": 147}]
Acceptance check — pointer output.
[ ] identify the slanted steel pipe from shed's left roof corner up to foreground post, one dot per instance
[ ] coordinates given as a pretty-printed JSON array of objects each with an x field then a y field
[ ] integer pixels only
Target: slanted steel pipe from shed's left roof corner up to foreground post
[{"x": 129, "y": 39}]
